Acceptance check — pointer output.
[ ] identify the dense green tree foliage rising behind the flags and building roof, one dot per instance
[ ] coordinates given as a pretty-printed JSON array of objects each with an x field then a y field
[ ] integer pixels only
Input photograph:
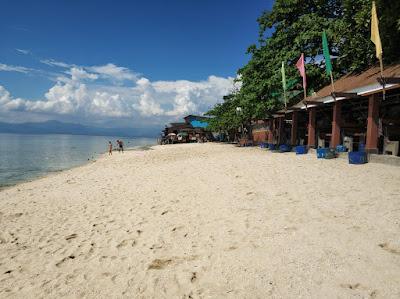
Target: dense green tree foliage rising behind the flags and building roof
[{"x": 293, "y": 27}]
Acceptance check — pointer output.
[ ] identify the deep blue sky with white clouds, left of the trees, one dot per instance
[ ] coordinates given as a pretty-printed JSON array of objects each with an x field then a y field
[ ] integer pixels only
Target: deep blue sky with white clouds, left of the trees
[{"x": 53, "y": 52}]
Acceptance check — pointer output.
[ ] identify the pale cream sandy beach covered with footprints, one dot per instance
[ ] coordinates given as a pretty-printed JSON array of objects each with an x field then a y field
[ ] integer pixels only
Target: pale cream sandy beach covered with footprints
[{"x": 204, "y": 221}]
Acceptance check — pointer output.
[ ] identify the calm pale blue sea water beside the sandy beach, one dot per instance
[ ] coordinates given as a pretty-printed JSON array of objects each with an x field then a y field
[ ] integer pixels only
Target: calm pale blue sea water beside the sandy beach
[{"x": 25, "y": 157}]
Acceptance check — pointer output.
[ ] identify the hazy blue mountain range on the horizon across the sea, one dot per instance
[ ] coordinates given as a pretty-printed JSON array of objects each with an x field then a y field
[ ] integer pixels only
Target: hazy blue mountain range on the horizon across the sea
[{"x": 56, "y": 127}]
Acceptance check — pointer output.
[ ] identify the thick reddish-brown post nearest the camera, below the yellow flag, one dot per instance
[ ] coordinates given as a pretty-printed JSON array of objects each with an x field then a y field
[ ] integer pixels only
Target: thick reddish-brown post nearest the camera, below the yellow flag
[{"x": 373, "y": 124}]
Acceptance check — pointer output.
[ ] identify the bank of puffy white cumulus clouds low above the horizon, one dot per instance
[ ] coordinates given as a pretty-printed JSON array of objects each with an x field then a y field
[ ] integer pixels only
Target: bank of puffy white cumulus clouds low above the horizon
[{"x": 92, "y": 94}]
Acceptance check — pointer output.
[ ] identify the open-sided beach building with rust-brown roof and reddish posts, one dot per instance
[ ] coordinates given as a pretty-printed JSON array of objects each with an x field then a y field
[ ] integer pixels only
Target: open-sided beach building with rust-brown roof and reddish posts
[{"x": 362, "y": 112}]
